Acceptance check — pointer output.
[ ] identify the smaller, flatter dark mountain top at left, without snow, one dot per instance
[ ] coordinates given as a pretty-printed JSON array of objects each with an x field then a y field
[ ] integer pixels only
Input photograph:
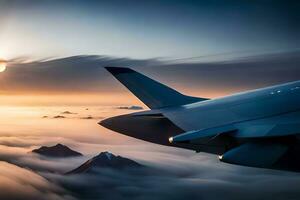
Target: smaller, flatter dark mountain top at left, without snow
[{"x": 59, "y": 151}]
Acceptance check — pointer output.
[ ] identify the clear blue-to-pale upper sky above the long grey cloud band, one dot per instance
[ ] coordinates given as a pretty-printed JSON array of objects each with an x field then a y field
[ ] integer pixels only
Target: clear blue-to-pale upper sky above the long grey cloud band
[{"x": 147, "y": 29}]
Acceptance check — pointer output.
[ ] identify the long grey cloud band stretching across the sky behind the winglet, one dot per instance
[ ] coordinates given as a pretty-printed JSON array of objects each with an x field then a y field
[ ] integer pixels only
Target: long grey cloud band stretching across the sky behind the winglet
[{"x": 86, "y": 73}]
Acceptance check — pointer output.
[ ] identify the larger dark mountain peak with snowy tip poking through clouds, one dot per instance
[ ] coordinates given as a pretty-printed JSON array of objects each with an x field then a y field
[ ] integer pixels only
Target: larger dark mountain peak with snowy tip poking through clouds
[{"x": 105, "y": 160}]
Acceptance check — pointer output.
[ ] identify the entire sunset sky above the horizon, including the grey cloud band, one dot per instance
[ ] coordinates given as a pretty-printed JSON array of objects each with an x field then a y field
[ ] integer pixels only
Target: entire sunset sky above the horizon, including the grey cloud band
[{"x": 204, "y": 48}]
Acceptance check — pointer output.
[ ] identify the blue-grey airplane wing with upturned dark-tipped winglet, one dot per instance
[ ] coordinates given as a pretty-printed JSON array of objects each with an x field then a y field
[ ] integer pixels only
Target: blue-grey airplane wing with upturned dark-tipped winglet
[{"x": 258, "y": 128}]
